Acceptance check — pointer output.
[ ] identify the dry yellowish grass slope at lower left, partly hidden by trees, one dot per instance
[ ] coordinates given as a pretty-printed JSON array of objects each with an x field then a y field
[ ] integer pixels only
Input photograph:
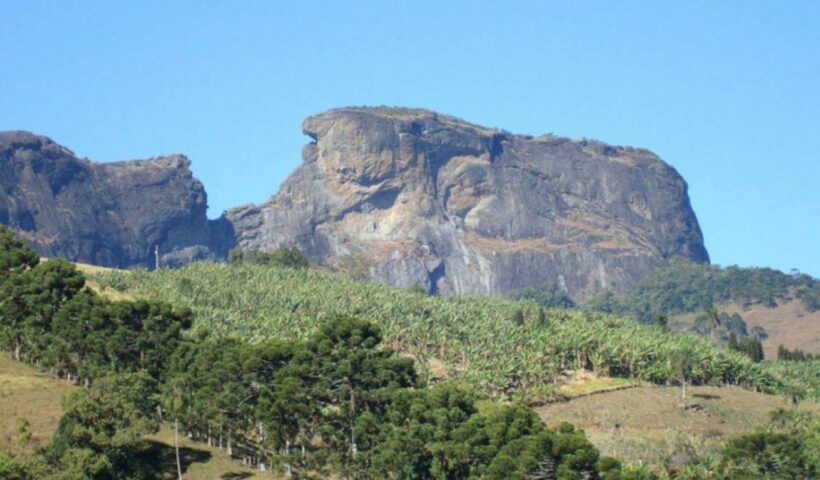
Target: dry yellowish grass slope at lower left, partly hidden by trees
[{"x": 25, "y": 392}]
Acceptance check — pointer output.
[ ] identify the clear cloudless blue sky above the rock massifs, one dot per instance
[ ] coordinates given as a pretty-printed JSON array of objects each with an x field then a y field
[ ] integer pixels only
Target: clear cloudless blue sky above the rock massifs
[{"x": 727, "y": 92}]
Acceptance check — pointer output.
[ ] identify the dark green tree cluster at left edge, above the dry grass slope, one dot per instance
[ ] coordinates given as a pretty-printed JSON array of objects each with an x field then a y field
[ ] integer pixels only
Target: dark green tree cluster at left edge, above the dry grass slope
[{"x": 49, "y": 318}]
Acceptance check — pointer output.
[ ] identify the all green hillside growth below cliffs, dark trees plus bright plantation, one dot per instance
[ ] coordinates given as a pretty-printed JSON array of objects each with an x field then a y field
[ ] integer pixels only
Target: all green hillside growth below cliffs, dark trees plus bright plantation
[{"x": 305, "y": 378}]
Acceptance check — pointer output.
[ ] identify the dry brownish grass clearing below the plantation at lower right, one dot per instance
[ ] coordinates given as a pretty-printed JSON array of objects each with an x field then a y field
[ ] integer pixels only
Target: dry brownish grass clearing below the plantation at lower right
[{"x": 649, "y": 423}]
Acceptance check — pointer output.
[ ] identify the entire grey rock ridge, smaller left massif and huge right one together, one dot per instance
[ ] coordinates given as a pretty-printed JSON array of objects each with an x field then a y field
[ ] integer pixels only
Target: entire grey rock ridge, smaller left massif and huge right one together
[{"x": 401, "y": 196}]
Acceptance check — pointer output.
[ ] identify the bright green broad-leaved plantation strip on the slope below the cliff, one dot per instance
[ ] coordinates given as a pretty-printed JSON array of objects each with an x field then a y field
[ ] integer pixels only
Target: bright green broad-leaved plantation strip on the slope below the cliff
[{"x": 502, "y": 347}]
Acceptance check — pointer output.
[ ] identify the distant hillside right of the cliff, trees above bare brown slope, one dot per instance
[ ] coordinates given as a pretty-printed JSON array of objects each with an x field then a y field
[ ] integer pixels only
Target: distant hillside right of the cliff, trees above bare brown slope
[{"x": 757, "y": 305}]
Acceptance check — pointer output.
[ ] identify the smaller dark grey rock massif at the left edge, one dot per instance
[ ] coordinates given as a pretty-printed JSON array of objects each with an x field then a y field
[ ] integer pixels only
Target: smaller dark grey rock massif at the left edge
[{"x": 107, "y": 214}]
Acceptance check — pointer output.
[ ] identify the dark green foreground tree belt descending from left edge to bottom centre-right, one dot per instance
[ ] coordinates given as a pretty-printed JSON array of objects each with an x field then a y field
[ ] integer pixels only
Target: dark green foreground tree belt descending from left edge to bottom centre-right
[{"x": 335, "y": 402}]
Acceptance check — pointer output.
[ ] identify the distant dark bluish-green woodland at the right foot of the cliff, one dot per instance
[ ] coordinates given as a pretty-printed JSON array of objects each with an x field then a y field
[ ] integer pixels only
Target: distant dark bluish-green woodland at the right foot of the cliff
[{"x": 680, "y": 286}]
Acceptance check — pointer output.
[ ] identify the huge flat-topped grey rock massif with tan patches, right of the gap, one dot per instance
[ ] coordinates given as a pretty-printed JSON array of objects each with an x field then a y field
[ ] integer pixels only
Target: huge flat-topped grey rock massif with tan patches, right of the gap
[{"x": 410, "y": 197}]
